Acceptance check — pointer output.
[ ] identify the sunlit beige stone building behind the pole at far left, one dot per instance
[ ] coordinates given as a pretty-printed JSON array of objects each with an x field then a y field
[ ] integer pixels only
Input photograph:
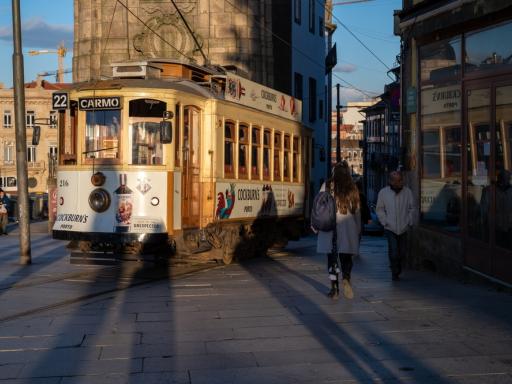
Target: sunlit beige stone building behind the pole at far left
[{"x": 38, "y": 111}]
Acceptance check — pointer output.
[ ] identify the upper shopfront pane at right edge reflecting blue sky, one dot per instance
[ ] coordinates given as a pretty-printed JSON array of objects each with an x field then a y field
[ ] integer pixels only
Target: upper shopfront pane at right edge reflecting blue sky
[{"x": 489, "y": 49}]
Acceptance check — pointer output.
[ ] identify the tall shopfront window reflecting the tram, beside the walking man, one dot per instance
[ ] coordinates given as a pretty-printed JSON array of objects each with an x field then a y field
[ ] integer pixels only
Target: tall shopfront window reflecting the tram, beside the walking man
[{"x": 441, "y": 157}]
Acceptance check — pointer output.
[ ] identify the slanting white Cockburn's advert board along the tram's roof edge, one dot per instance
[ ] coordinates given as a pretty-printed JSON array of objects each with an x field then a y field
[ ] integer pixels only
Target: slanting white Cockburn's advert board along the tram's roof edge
[{"x": 254, "y": 95}]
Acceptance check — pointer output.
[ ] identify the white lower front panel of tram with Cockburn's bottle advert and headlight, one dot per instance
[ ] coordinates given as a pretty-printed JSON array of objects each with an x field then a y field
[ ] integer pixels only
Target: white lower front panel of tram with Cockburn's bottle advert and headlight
[{"x": 128, "y": 202}]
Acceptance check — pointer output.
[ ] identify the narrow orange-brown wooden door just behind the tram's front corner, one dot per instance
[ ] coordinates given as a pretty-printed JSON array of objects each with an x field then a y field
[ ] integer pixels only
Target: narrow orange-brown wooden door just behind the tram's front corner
[{"x": 190, "y": 205}]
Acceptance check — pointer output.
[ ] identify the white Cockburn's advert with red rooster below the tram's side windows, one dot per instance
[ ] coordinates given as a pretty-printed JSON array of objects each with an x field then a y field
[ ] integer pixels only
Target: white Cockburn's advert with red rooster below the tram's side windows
[{"x": 244, "y": 200}]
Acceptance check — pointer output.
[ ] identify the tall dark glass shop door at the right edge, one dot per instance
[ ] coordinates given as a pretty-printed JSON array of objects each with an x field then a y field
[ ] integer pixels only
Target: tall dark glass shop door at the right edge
[{"x": 488, "y": 196}]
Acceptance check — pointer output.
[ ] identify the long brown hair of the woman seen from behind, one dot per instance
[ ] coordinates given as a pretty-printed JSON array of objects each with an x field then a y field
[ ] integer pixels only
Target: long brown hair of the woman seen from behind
[{"x": 344, "y": 188}]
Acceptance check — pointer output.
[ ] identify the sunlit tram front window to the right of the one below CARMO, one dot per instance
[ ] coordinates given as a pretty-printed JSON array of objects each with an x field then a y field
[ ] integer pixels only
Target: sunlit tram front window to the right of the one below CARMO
[{"x": 146, "y": 148}]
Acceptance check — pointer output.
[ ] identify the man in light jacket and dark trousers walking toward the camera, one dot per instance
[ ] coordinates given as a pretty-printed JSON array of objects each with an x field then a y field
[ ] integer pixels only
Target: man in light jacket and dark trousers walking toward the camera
[{"x": 395, "y": 210}]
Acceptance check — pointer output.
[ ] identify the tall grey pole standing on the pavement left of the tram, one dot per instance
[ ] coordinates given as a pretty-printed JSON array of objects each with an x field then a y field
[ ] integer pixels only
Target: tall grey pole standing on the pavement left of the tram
[{"x": 21, "y": 137}]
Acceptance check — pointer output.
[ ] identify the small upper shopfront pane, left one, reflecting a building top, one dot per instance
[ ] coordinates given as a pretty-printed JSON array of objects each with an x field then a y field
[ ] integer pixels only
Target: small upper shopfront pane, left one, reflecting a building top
[{"x": 441, "y": 61}]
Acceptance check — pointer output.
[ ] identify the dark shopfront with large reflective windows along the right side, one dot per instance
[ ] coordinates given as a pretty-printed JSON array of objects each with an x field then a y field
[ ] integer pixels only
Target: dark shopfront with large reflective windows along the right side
[{"x": 457, "y": 120}]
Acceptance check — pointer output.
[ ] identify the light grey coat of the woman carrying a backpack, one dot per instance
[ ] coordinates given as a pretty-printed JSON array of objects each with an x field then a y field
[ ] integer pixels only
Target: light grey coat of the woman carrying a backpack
[{"x": 348, "y": 228}]
